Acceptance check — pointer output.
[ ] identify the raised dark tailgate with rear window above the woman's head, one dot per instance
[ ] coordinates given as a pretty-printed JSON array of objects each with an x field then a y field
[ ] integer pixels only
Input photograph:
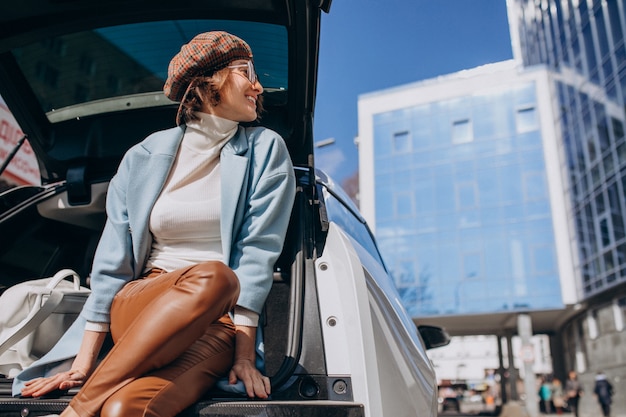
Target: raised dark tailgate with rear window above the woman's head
[{"x": 84, "y": 80}]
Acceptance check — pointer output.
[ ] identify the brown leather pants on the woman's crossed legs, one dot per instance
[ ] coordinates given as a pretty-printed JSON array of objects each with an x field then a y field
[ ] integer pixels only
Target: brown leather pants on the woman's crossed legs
[{"x": 173, "y": 340}]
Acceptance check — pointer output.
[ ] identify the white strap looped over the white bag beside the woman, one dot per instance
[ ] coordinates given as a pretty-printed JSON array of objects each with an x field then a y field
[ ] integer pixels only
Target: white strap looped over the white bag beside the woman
[{"x": 37, "y": 316}]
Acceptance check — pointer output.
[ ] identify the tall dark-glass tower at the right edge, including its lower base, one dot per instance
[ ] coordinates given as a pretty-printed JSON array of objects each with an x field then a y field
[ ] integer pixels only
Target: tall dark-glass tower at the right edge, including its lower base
[{"x": 583, "y": 42}]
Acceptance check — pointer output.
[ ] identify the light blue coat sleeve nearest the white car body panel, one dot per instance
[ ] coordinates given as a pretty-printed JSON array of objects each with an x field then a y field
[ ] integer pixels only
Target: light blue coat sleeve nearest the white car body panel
[{"x": 259, "y": 238}]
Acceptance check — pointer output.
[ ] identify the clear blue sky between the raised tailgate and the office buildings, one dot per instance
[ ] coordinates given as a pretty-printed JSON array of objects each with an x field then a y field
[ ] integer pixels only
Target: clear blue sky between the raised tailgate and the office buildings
[{"x": 369, "y": 45}]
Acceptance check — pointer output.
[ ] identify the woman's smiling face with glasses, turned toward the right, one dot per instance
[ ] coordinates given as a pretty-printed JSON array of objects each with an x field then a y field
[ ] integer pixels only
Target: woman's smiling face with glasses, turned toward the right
[{"x": 238, "y": 97}]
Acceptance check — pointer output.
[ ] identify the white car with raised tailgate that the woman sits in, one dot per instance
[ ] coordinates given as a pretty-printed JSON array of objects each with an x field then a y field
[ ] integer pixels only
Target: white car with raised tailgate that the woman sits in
[{"x": 84, "y": 81}]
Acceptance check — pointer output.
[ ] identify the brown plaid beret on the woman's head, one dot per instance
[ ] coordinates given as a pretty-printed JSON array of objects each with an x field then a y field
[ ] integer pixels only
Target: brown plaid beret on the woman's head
[{"x": 203, "y": 55}]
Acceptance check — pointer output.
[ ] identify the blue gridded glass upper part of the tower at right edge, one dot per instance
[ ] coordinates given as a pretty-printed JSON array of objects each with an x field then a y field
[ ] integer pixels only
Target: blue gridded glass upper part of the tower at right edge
[{"x": 583, "y": 41}]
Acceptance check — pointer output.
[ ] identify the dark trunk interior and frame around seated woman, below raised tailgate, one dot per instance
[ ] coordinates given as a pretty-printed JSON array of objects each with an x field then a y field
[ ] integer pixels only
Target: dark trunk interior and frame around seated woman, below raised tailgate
[{"x": 294, "y": 357}]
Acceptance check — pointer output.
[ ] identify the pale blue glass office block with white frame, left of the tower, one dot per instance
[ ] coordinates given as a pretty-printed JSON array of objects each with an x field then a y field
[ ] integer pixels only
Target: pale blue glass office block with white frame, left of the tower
[{"x": 461, "y": 200}]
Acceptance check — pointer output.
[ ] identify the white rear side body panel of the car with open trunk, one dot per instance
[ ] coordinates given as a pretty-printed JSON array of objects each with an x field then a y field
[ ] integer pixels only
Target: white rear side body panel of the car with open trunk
[{"x": 367, "y": 339}]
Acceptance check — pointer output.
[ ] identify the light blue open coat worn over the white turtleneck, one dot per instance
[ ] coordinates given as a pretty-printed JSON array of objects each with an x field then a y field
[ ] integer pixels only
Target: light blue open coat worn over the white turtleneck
[{"x": 258, "y": 188}]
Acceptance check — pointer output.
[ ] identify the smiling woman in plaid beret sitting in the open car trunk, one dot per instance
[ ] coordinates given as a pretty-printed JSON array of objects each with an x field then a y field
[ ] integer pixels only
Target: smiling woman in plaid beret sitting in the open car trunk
[{"x": 196, "y": 218}]
